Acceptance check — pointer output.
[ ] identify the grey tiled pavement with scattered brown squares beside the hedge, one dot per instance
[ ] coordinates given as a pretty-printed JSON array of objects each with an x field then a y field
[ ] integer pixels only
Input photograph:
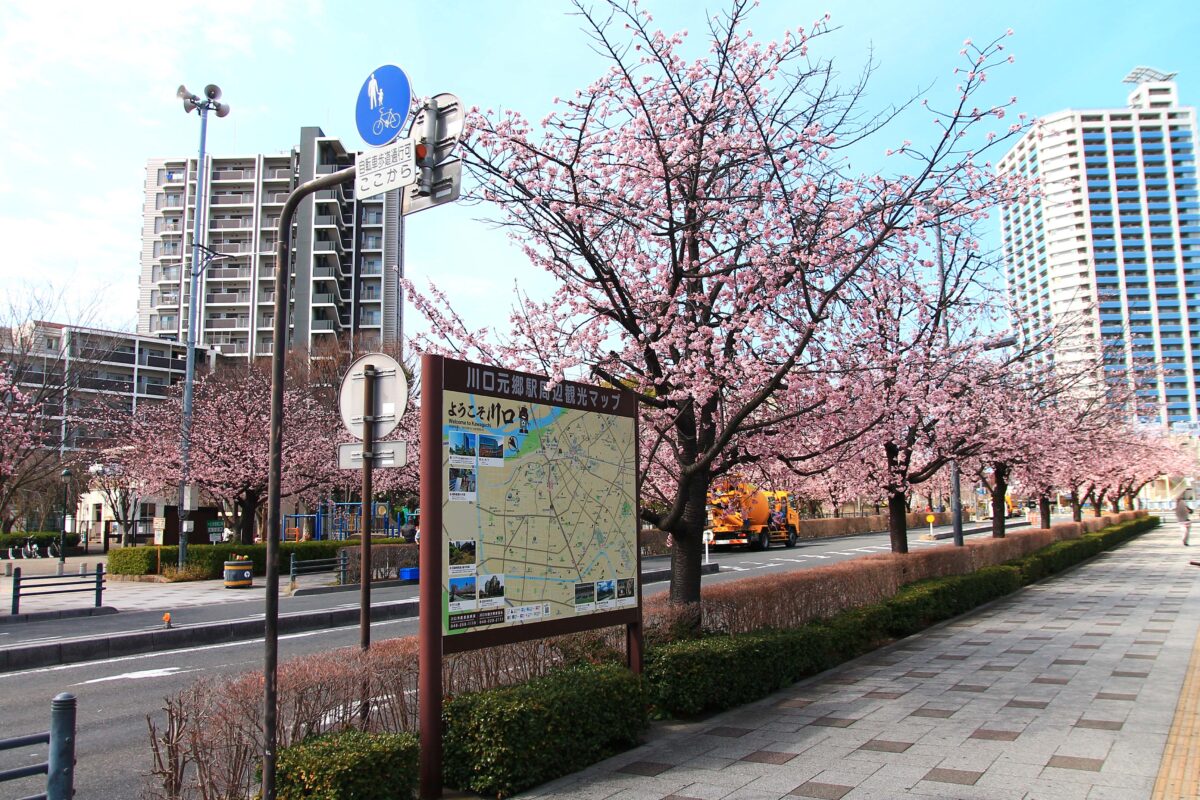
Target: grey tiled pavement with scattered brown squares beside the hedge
[{"x": 1066, "y": 690}]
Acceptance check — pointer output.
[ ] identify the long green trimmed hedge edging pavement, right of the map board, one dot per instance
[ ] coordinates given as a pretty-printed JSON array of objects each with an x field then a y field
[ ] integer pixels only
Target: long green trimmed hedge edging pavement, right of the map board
[{"x": 719, "y": 672}]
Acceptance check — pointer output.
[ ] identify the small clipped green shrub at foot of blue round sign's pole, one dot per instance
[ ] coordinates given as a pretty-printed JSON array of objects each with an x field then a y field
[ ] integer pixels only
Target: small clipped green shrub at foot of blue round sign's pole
[{"x": 350, "y": 765}]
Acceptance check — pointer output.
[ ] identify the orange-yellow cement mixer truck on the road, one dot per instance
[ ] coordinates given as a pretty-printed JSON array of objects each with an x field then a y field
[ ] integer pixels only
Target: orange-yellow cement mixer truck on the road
[{"x": 742, "y": 514}]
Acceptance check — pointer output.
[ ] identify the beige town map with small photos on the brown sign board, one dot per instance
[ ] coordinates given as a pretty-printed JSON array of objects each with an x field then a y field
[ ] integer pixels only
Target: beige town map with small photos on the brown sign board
[{"x": 539, "y": 509}]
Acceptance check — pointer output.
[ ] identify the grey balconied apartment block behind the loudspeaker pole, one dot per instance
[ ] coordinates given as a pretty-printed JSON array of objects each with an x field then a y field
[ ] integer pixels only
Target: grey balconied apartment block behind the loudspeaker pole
[{"x": 346, "y": 252}]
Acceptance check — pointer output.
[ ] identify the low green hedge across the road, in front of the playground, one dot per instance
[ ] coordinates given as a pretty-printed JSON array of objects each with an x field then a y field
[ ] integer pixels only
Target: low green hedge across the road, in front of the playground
[{"x": 211, "y": 560}]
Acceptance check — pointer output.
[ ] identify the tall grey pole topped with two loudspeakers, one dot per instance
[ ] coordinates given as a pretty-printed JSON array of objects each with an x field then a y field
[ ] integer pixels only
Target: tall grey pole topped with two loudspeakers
[{"x": 202, "y": 106}]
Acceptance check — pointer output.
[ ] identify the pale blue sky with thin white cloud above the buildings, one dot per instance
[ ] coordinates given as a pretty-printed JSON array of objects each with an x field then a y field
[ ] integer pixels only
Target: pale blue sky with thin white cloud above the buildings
[{"x": 87, "y": 93}]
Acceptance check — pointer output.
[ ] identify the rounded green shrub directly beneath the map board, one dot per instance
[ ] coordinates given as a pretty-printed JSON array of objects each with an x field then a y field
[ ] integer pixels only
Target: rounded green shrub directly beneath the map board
[{"x": 503, "y": 741}]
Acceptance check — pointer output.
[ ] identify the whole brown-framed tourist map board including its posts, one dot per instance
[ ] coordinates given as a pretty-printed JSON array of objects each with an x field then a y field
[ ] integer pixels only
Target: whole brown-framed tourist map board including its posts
[{"x": 529, "y": 520}]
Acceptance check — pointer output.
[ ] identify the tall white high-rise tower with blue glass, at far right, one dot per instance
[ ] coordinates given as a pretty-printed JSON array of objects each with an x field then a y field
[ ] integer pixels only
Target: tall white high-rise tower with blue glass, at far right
[{"x": 1111, "y": 251}]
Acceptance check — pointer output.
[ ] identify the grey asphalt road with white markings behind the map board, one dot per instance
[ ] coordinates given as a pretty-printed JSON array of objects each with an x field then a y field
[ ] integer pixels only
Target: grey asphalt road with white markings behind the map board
[{"x": 116, "y": 696}]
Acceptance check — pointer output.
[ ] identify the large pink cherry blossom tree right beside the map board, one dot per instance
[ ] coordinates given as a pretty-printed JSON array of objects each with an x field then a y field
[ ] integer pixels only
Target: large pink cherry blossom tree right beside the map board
[{"x": 704, "y": 224}]
